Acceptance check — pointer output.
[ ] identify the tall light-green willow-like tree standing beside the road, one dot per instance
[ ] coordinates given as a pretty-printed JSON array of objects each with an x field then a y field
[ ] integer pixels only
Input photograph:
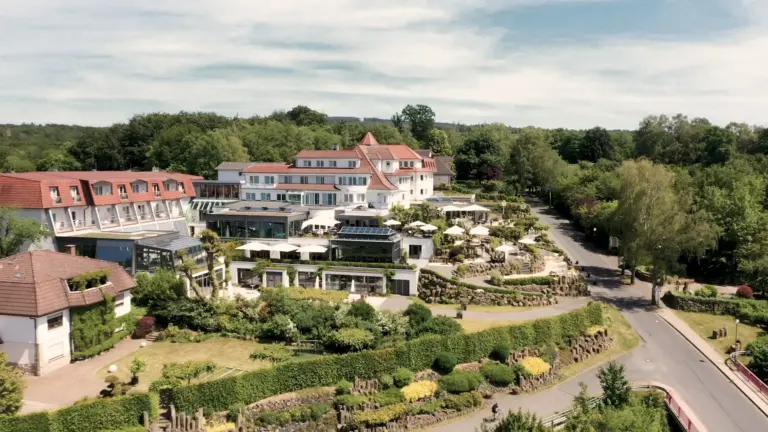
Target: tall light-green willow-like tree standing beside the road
[{"x": 655, "y": 224}]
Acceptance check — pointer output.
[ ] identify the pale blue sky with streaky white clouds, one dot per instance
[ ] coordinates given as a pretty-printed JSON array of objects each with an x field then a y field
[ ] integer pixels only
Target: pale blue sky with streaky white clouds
[{"x": 547, "y": 63}]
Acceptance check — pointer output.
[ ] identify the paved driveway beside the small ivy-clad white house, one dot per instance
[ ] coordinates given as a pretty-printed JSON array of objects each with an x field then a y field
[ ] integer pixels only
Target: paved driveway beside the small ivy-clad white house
[{"x": 72, "y": 382}]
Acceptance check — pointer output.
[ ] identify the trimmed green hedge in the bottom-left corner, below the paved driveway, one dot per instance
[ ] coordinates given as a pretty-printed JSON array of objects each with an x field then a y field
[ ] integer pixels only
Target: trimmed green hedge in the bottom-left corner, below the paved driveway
[{"x": 102, "y": 414}]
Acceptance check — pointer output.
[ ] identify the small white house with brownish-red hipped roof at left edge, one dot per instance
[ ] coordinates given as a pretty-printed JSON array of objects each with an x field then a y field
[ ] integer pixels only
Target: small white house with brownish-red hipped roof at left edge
[{"x": 36, "y": 305}]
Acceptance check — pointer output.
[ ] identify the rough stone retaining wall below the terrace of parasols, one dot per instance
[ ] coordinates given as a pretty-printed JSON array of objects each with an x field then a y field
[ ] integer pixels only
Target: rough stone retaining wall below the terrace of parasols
[{"x": 436, "y": 289}]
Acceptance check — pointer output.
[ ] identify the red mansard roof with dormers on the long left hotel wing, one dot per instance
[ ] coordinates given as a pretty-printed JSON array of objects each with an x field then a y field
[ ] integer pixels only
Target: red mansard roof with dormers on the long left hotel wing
[{"x": 32, "y": 190}]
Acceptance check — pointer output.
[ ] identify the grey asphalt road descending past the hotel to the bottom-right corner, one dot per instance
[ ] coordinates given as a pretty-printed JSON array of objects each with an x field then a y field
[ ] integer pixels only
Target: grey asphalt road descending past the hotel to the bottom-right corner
[{"x": 664, "y": 355}]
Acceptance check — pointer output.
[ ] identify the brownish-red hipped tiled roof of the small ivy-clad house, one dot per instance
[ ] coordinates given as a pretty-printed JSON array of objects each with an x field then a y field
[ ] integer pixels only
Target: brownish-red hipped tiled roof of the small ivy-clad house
[{"x": 35, "y": 283}]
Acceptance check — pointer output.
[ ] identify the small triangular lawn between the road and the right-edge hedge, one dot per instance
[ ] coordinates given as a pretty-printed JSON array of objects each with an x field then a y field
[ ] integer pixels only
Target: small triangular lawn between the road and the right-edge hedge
[{"x": 703, "y": 324}]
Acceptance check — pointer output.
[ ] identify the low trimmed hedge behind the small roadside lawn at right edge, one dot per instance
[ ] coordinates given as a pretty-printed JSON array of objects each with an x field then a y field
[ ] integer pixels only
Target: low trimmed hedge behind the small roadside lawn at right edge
[{"x": 747, "y": 310}]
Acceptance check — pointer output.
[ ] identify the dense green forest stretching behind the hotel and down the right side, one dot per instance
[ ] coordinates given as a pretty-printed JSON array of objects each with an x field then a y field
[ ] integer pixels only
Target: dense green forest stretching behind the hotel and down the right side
[{"x": 706, "y": 215}]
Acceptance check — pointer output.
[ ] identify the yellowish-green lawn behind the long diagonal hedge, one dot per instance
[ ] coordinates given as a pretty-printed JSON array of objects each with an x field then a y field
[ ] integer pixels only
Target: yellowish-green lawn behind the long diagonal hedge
[{"x": 225, "y": 352}]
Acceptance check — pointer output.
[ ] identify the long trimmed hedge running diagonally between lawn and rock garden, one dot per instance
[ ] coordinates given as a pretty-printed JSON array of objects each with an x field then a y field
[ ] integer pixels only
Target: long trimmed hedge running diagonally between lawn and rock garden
[{"x": 418, "y": 354}]
